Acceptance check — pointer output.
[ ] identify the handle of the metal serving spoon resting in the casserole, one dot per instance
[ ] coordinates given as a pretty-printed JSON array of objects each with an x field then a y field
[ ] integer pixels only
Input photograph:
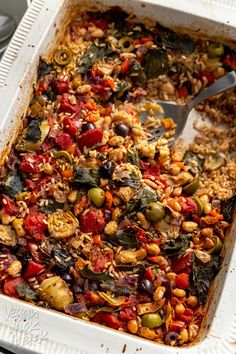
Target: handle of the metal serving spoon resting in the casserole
[{"x": 226, "y": 82}]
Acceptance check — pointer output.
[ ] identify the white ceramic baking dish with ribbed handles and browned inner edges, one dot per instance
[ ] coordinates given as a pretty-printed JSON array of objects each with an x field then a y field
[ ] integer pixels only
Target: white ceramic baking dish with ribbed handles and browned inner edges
[{"x": 25, "y": 328}]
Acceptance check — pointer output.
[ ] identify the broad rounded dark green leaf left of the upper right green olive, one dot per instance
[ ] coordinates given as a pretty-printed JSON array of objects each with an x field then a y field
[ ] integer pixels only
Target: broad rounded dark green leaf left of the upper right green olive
[{"x": 156, "y": 63}]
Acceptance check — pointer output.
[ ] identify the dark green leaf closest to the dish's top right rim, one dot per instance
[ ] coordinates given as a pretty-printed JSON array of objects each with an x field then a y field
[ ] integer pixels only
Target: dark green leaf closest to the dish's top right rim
[{"x": 171, "y": 39}]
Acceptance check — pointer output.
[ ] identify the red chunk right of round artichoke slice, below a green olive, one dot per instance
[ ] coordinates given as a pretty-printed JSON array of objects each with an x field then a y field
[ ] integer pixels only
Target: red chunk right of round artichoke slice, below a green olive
[{"x": 91, "y": 222}]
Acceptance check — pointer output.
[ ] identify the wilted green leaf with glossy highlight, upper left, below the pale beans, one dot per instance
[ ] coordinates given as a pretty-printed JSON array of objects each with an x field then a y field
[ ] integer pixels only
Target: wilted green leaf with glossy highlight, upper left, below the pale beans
[{"x": 92, "y": 55}]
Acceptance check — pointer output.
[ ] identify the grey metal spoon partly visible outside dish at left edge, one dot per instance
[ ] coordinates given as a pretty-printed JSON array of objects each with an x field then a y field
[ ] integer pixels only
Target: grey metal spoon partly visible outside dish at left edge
[{"x": 7, "y": 28}]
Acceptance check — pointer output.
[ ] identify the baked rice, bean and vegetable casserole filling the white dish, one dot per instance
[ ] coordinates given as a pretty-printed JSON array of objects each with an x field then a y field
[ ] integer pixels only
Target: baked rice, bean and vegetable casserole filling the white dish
[{"x": 100, "y": 219}]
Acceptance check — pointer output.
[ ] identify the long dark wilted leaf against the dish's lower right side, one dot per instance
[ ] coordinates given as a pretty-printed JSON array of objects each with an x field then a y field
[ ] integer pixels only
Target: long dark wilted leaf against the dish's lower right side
[{"x": 203, "y": 275}]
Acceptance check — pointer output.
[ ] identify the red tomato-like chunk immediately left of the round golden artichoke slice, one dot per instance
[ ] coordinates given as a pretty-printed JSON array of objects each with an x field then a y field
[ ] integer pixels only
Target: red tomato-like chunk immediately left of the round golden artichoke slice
[{"x": 35, "y": 226}]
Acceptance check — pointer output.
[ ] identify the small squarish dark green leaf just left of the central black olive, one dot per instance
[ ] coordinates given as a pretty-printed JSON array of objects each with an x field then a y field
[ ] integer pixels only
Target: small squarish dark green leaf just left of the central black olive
[{"x": 86, "y": 177}]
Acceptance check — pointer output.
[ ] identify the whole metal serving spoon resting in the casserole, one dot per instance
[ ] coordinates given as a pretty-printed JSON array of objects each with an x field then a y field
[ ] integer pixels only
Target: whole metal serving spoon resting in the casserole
[{"x": 180, "y": 114}]
